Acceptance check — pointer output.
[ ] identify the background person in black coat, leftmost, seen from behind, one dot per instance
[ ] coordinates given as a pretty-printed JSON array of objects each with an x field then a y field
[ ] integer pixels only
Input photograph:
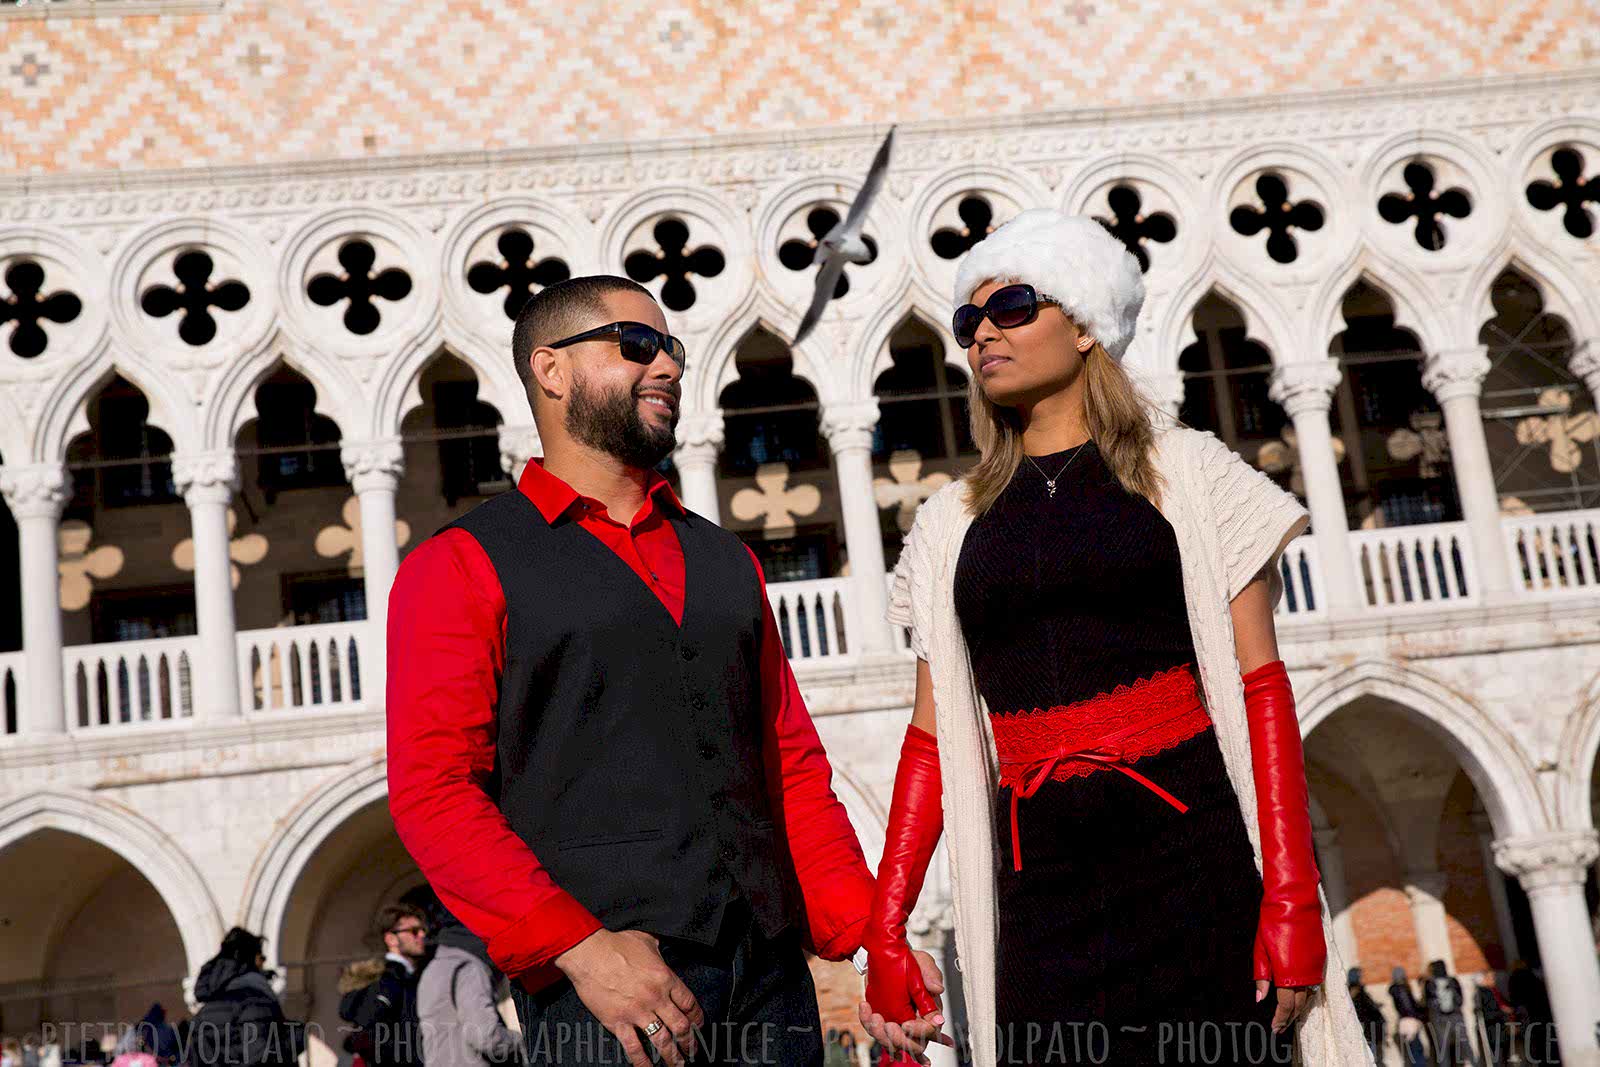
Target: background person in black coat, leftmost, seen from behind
[{"x": 241, "y": 1023}]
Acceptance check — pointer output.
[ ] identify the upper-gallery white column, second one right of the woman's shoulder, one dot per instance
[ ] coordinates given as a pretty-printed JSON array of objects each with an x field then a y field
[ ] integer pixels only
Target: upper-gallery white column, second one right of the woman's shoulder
[{"x": 1457, "y": 382}]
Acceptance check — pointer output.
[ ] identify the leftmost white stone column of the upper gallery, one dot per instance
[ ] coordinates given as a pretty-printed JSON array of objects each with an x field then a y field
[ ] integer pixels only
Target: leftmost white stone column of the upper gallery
[{"x": 38, "y": 495}]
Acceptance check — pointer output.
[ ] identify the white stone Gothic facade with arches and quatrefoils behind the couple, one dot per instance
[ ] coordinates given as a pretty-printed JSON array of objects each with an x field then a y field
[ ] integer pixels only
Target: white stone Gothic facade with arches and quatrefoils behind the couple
[{"x": 1463, "y": 682}]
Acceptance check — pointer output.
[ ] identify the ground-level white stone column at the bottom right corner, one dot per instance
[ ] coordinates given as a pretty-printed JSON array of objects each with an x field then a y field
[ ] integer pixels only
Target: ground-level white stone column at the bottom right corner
[{"x": 1551, "y": 869}]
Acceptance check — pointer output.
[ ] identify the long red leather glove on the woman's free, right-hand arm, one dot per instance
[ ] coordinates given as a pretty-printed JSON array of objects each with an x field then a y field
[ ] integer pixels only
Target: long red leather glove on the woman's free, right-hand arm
[{"x": 1290, "y": 946}]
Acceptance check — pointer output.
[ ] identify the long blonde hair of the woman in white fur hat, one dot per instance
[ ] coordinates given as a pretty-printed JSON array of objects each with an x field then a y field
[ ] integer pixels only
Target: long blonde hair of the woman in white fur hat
[{"x": 1119, "y": 423}]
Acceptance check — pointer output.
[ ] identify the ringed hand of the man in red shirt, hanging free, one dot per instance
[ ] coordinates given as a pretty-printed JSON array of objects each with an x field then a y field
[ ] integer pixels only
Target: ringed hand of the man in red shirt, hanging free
[{"x": 623, "y": 980}]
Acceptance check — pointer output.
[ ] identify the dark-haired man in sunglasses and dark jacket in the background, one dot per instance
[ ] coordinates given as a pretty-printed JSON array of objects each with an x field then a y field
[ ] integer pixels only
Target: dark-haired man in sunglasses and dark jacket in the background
[{"x": 386, "y": 1010}]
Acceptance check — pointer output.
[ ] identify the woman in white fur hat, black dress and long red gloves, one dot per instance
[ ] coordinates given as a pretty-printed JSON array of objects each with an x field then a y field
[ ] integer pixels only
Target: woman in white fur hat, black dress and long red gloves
[{"x": 1102, "y": 711}]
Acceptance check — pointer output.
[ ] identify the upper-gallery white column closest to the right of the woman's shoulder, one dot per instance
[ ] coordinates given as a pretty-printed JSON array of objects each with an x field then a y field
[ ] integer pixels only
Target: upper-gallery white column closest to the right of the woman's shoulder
[{"x": 1305, "y": 391}]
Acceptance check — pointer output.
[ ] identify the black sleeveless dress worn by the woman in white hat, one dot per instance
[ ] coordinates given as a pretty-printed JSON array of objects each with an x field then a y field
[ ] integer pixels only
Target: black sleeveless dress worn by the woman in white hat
[{"x": 1127, "y": 935}]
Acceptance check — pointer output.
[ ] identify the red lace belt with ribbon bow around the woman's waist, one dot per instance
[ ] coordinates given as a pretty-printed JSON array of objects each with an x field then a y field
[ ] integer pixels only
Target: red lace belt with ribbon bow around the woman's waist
[{"x": 1108, "y": 732}]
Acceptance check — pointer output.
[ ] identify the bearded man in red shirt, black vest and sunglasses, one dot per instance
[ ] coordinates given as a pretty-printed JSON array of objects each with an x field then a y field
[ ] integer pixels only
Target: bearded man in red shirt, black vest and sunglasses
[{"x": 598, "y": 753}]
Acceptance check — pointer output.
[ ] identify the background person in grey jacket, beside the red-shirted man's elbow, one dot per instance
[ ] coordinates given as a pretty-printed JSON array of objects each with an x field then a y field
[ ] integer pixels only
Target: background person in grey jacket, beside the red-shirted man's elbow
[{"x": 455, "y": 1001}]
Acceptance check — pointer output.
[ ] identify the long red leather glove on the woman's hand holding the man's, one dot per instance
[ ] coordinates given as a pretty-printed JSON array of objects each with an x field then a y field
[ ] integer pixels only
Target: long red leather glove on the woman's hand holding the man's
[{"x": 916, "y": 821}]
